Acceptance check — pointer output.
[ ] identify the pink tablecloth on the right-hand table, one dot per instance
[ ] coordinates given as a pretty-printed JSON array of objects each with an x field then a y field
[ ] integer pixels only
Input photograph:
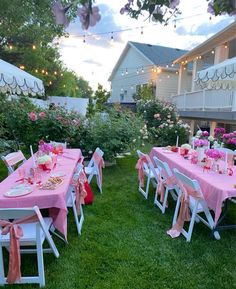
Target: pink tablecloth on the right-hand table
[{"x": 215, "y": 187}]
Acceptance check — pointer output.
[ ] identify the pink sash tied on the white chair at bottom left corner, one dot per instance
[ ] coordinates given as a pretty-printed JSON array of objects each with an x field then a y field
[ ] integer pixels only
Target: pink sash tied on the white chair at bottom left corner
[{"x": 14, "y": 270}]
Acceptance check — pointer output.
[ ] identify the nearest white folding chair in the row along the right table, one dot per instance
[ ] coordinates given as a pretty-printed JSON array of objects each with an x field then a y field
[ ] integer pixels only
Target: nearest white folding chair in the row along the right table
[{"x": 196, "y": 205}]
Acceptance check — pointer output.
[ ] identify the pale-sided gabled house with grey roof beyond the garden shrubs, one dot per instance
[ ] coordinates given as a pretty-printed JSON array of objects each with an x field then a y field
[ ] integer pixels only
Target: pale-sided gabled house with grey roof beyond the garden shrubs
[{"x": 142, "y": 64}]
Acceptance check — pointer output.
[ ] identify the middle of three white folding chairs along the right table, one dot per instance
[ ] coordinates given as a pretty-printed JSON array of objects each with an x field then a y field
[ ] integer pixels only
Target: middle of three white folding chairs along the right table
[{"x": 169, "y": 183}]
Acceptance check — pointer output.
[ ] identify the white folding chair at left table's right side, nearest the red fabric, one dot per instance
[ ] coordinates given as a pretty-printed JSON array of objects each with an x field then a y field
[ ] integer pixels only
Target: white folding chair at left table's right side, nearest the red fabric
[{"x": 71, "y": 201}]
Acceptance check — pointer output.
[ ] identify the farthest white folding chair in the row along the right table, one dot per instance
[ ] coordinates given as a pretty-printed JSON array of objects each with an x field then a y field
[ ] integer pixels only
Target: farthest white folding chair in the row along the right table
[{"x": 149, "y": 171}]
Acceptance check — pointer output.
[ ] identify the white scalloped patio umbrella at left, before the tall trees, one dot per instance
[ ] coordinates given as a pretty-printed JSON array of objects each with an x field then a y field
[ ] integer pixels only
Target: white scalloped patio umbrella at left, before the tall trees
[{"x": 13, "y": 80}]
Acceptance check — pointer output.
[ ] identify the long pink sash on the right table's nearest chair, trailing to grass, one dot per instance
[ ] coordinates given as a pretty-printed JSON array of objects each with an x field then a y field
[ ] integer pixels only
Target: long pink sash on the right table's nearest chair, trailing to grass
[{"x": 184, "y": 214}]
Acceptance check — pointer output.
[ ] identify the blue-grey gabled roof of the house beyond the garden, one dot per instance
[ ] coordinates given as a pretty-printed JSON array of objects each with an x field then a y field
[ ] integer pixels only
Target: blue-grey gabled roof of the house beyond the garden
[{"x": 155, "y": 54}]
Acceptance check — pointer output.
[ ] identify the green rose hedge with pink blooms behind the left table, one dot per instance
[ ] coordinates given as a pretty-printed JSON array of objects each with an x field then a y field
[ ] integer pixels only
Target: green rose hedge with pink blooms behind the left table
[{"x": 27, "y": 124}]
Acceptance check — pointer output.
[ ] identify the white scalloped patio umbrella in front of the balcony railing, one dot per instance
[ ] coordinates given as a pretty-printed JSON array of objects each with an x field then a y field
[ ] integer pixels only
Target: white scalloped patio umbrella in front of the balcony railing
[{"x": 222, "y": 75}]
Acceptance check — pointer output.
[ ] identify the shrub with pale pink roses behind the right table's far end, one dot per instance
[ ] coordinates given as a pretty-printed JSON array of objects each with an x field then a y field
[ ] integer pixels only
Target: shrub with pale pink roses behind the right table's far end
[{"x": 162, "y": 122}]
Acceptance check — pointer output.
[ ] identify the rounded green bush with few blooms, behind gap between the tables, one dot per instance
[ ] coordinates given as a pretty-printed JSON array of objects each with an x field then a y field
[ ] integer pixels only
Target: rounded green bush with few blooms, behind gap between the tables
[{"x": 114, "y": 132}]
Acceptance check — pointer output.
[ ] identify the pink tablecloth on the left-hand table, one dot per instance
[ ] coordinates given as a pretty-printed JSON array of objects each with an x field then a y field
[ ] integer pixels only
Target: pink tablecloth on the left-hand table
[{"x": 54, "y": 200}]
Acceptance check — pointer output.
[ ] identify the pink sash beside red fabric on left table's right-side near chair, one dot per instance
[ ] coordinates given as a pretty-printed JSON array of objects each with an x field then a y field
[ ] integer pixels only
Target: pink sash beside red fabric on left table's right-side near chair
[{"x": 80, "y": 190}]
